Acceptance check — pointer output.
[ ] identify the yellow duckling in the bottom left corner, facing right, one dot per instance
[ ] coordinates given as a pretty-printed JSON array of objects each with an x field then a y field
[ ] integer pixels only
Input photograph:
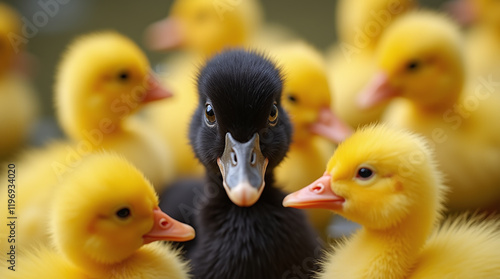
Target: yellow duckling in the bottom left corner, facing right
[{"x": 103, "y": 216}]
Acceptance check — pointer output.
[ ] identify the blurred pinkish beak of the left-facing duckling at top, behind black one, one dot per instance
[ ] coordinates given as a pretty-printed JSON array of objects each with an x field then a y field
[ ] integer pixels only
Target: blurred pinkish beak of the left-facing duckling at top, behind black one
[{"x": 165, "y": 34}]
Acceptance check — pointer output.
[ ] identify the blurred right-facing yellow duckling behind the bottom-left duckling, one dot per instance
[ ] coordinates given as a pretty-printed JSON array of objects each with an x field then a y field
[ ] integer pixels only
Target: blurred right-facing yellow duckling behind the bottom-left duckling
[{"x": 102, "y": 79}]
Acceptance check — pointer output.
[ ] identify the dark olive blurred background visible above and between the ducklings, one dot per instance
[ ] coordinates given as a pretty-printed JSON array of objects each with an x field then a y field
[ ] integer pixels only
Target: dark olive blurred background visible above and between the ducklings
[{"x": 312, "y": 20}]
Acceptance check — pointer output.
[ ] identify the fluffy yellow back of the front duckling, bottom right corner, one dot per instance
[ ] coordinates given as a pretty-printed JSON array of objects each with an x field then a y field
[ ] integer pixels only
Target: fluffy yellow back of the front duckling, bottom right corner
[{"x": 466, "y": 246}]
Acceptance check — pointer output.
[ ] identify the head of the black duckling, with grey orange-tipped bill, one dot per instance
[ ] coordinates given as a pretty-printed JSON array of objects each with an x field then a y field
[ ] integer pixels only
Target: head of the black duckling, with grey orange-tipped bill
[{"x": 239, "y": 130}]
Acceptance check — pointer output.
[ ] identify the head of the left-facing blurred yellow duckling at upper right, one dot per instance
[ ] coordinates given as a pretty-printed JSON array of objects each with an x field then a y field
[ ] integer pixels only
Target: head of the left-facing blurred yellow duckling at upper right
[{"x": 419, "y": 58}]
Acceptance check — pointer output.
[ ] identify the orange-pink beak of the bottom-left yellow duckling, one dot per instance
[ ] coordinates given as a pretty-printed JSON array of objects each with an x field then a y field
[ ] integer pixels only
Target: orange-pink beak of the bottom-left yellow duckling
[{"x": 168, "y": 229}]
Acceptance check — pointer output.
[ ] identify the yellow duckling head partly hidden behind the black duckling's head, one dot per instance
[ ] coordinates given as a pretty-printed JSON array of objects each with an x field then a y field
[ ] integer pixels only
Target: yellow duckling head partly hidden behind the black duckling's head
[{"x": 306, "y": 94}]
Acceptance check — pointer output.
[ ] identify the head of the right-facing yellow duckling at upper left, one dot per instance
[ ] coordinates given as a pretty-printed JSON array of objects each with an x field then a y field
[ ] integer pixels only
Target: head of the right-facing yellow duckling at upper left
[{"x": 102, "y": 79}]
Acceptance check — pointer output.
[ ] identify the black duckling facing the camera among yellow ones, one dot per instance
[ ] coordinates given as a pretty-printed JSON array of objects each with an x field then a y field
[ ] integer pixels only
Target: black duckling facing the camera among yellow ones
[{"x": 240, "y": 133}]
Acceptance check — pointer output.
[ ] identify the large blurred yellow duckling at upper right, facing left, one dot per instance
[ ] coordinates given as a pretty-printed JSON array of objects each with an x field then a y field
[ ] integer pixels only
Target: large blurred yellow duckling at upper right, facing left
[{"x": 427, "y": 71}]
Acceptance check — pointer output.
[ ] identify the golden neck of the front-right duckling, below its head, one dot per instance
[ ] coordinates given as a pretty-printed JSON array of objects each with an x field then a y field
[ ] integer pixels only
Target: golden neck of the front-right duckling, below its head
[{"x": 391, "y": 253}]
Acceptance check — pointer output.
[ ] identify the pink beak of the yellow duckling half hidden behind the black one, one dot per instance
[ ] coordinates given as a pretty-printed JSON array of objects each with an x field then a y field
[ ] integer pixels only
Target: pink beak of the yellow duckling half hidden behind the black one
[{"x": 330, "y": 126}]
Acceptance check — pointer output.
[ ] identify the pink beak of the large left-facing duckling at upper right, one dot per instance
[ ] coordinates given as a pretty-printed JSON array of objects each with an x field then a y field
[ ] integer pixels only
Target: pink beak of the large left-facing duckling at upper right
[{"x": 378, "y": 91}]
